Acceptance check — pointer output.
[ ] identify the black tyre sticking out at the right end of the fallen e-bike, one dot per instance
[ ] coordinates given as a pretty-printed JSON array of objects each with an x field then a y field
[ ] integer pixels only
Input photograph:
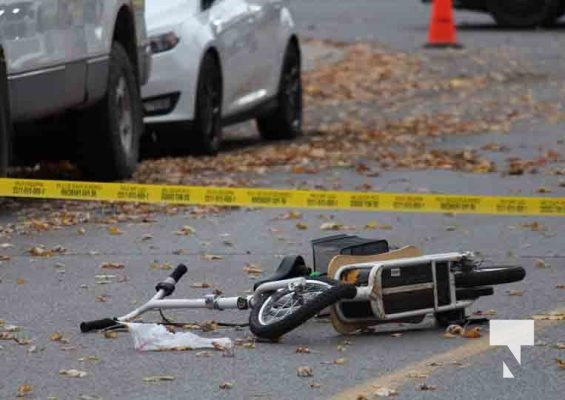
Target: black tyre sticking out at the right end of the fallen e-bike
[{"x": 489, "y": 276}]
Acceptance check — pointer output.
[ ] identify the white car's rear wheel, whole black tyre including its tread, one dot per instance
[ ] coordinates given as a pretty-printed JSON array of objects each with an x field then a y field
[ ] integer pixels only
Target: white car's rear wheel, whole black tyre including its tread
[{"x": 285, "y": 121}]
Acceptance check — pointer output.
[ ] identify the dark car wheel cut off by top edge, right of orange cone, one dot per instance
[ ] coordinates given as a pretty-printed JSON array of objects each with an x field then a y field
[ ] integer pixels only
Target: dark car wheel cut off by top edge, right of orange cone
[{"x": 524, "y": 13}]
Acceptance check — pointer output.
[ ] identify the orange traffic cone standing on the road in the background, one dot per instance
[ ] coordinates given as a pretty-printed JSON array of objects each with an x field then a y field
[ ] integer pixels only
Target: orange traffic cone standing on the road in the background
[{"x": 442, "y": 26}]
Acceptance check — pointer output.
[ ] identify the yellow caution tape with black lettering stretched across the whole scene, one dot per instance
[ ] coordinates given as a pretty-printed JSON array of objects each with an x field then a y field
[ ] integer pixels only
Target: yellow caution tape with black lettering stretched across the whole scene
[{"x": 276, "y": 198}]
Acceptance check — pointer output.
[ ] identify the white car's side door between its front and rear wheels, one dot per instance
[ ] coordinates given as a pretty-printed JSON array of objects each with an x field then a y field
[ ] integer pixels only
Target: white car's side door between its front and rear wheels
[{"x": 234, "y": 30}]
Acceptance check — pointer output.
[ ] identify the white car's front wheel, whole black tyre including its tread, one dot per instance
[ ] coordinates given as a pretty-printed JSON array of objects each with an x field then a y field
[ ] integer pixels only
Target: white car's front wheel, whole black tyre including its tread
[{"x": 205, "y": 135}]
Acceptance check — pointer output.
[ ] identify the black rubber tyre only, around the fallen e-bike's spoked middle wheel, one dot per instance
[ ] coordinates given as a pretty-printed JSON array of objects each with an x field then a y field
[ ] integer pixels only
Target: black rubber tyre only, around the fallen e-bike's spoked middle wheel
[{"x": 278, "y": 328}]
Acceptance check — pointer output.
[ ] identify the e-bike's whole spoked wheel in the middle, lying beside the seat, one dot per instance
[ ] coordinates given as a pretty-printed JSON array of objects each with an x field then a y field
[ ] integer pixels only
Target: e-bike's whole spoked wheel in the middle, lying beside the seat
[{"x": 284, "y": 310}]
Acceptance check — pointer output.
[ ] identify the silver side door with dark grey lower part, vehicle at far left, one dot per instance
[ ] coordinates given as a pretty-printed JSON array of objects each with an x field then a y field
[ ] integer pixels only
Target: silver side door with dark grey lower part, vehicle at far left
[{"x": 45, "y": 50}]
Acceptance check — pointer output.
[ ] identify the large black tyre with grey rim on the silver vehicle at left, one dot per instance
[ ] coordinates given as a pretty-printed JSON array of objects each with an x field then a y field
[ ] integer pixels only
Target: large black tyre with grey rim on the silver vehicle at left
[{"x": 110, "y": 130}]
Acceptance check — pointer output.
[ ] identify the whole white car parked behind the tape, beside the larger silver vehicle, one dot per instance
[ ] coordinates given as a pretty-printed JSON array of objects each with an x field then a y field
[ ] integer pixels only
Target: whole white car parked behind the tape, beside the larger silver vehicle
[{"x": 217, "y": 62}]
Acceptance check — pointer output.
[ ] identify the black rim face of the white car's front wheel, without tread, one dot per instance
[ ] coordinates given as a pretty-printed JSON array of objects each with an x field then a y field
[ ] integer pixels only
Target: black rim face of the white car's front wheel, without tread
[{"x": 210, "y": 109}]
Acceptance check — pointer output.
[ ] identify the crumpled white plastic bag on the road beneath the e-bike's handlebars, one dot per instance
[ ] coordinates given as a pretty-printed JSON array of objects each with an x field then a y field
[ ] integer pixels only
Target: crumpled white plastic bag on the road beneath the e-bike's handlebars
[{"x": 155, "y": 337}]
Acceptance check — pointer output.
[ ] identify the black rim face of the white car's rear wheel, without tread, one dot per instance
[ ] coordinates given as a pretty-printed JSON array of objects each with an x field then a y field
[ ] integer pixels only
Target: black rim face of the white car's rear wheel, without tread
[{"x": 292, "y": 92}]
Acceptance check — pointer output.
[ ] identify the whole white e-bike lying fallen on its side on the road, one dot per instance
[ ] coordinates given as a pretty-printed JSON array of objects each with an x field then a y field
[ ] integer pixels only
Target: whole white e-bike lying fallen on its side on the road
[{"x": 361, "y": 289}]
